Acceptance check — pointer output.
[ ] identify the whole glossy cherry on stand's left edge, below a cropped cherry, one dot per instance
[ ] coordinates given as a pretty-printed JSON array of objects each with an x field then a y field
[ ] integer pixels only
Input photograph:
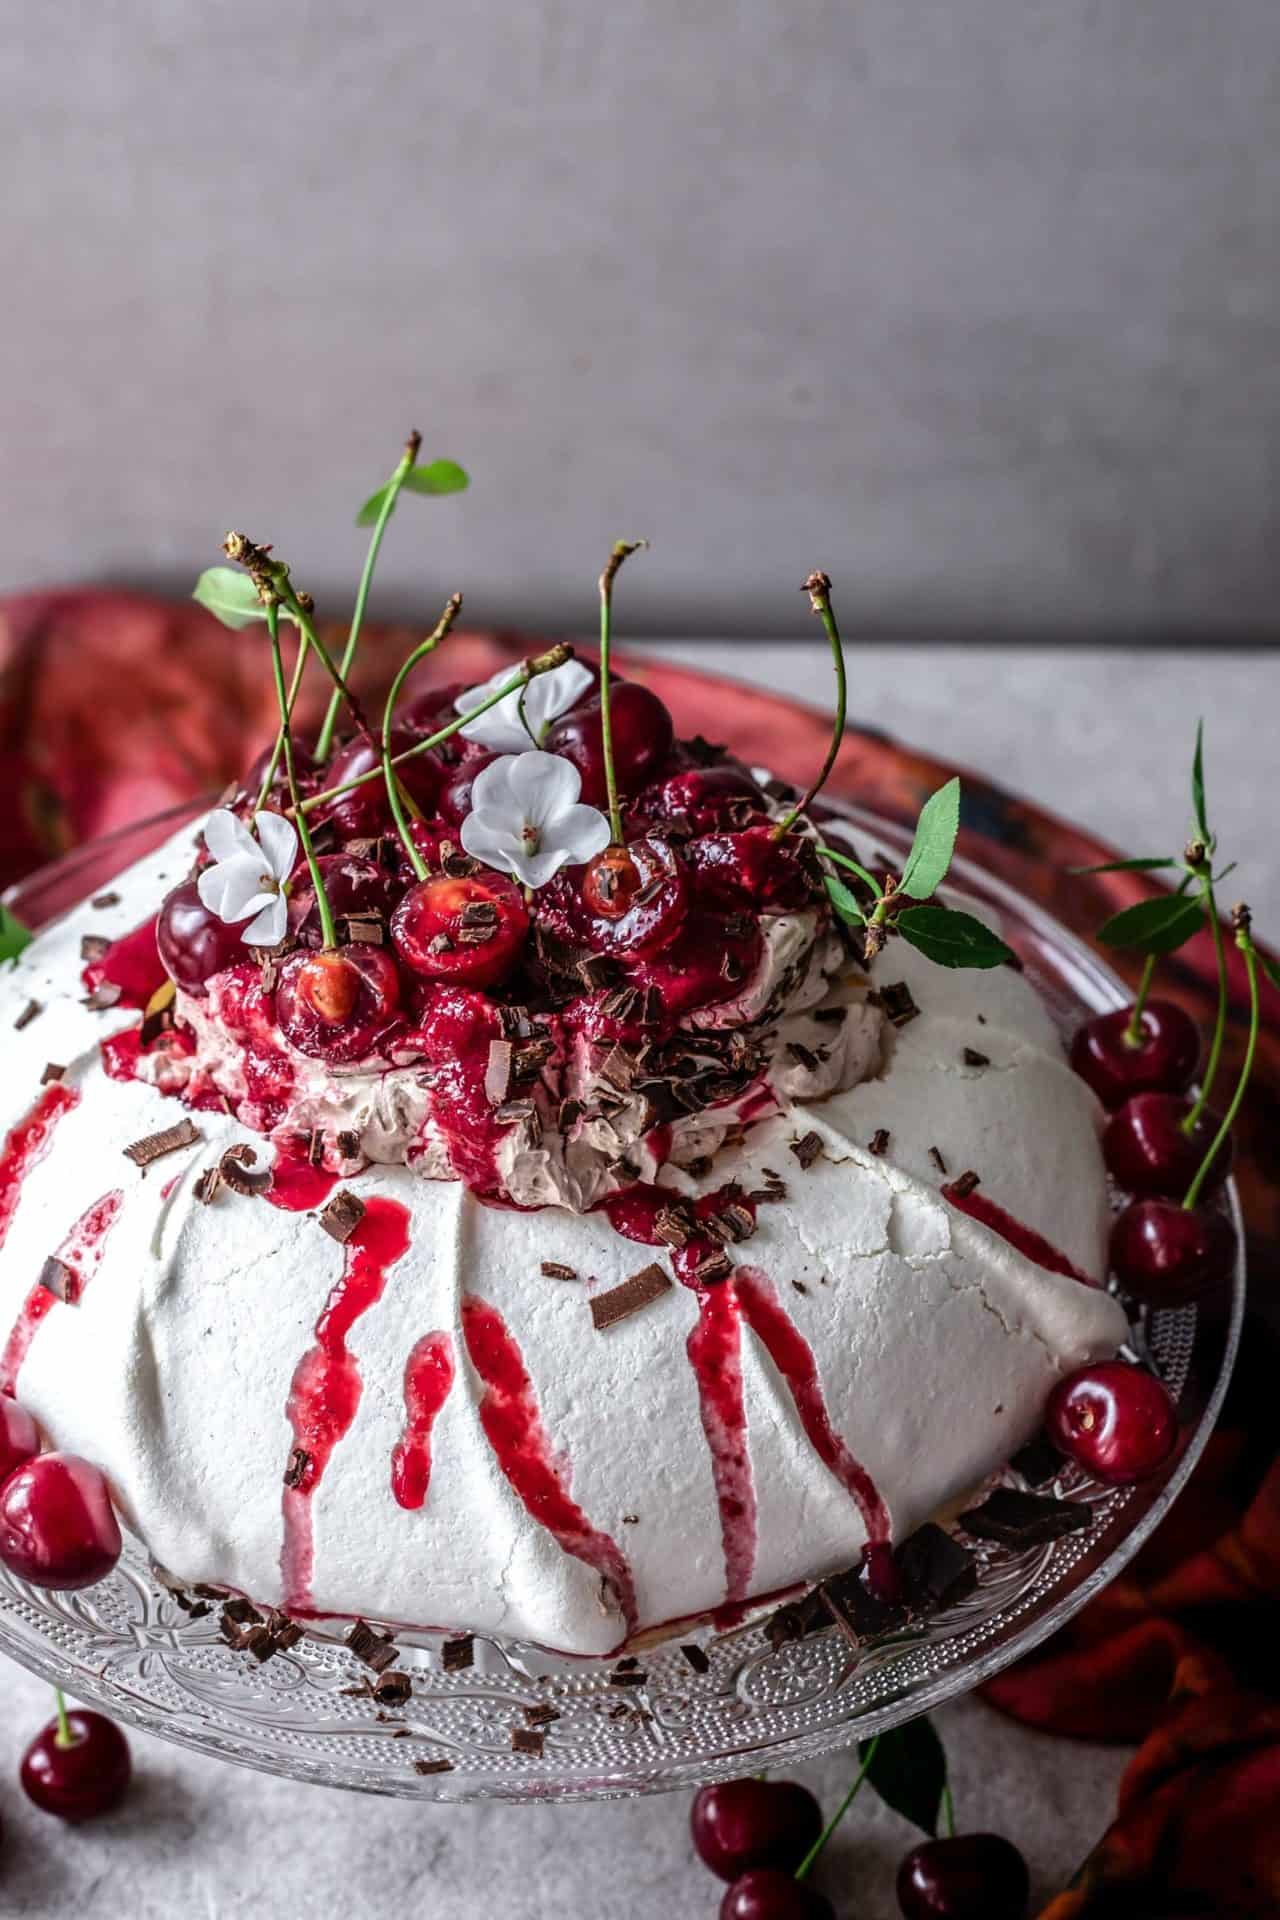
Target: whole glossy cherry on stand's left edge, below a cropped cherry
[{"x": 59, "y": 1527}]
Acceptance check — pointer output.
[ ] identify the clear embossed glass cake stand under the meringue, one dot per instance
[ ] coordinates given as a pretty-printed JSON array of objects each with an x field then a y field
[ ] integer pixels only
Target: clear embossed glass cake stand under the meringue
[{"x": 308, "y": 1714}]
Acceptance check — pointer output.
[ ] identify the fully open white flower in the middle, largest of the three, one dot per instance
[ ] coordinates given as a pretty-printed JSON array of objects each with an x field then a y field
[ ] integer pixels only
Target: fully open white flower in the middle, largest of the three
[{"x": 527, "y": 817}]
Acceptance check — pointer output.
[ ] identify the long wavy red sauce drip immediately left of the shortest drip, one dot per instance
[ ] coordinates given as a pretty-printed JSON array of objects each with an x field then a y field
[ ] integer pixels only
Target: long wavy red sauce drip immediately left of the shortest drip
[{"x": 325, "y": 1393}]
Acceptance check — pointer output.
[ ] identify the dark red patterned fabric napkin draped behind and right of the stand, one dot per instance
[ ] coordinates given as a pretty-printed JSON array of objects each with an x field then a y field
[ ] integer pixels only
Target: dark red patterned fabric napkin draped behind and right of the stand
[{"x": 114, "y": 708}]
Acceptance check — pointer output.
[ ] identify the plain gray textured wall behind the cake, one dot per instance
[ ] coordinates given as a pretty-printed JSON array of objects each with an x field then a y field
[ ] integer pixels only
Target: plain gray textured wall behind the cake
[{"x": 970, "y": 300}]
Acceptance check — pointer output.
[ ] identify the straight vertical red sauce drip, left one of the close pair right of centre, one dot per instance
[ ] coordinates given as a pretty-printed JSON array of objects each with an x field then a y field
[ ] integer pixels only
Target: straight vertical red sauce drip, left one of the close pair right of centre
[{"x": 717, "y": 1358}]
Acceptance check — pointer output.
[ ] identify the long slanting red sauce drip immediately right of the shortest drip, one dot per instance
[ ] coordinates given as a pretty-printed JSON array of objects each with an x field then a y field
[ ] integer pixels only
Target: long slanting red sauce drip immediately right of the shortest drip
[{"x": 515, "y": 1431}]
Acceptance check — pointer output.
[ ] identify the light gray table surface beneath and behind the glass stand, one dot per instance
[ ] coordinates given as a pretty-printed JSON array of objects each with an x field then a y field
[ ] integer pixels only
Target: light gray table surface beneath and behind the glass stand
[{"x": 1102, "y": 738}]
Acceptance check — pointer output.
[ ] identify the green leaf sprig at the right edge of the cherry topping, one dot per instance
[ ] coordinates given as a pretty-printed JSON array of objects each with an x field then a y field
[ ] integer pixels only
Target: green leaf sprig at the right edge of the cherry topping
[{"x": 899, "y": 905}]
